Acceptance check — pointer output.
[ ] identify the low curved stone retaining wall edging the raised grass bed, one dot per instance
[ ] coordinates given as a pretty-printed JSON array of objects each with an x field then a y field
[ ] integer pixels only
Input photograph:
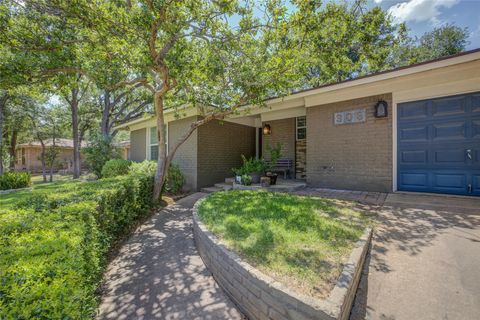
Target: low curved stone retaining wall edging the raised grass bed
[{"x": 261, "y": 297}]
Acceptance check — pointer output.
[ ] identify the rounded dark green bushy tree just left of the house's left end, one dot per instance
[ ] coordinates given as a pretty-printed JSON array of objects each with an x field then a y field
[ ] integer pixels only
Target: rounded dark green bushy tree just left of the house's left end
[{"x": 100, "y": 149}]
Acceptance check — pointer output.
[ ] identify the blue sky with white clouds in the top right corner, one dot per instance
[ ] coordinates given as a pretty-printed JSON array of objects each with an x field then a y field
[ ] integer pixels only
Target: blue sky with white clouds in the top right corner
[{"x": 424, "y": 15}]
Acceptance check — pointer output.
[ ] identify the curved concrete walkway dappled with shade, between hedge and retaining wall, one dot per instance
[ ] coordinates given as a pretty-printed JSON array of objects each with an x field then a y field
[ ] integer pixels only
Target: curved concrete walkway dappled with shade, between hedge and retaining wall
[{"x": 158, "y": 273}]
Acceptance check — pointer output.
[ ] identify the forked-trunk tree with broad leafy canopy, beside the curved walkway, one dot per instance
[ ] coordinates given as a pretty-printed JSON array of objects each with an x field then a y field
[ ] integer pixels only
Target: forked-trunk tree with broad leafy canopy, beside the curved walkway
[{"x": 213, "y": 55}]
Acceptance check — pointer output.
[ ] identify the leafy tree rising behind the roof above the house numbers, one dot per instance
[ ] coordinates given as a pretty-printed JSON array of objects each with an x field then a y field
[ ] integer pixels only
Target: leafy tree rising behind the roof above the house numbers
[{"x": 343, "y": 40}]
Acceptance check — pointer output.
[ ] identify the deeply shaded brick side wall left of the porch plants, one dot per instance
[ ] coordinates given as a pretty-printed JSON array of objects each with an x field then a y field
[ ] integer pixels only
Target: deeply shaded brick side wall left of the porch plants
[{"x": 220, "y": 146}]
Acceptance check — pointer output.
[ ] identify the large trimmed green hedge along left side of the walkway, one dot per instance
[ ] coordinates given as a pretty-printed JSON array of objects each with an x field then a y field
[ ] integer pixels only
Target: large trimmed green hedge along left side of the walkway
[{"x": 54, "y": 242}]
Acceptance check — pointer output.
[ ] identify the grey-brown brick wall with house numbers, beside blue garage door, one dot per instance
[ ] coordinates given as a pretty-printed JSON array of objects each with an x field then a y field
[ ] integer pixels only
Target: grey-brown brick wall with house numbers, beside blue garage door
[{"x": 351, "y": 156}]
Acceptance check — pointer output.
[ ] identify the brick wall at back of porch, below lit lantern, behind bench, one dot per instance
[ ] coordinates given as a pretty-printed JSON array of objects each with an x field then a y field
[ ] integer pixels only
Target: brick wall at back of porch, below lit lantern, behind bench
[{"x": 283, "y": 131}]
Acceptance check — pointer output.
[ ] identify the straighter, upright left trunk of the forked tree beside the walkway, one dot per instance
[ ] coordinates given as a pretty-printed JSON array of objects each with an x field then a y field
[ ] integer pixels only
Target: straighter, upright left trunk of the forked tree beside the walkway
[{"x": 162, "y": 148}]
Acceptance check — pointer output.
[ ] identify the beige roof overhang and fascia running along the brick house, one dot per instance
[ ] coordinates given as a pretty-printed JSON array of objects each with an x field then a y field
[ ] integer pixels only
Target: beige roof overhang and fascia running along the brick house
[{"x": 400, "y": 80}]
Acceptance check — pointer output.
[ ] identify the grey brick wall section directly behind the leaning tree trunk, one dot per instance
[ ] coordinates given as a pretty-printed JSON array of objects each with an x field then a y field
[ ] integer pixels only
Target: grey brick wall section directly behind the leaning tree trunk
[{"x": 186, "y": 155}]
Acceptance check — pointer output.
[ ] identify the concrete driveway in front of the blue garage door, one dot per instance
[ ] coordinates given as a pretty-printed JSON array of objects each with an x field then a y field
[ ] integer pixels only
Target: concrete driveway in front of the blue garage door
[{"x": 424, "y": 261}]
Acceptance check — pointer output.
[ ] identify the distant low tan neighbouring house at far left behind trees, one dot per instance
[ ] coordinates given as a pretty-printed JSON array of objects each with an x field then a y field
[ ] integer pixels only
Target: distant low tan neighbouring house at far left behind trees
[{"x": 28, "y": 155}]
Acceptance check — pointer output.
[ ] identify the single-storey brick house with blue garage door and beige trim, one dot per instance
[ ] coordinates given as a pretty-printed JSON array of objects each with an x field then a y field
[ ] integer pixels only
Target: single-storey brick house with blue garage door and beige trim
[{"x": 425, "y": 136}]
